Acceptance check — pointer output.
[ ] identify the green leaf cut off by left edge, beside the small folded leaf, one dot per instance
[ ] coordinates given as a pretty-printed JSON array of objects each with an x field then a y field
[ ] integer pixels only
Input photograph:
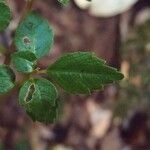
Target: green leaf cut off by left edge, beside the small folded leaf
[{"x": 7, "y": 79}]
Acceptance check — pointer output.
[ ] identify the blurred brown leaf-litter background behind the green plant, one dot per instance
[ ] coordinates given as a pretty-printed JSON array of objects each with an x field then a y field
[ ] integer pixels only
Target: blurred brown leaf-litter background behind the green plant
[{"x": 114, "y": 119}]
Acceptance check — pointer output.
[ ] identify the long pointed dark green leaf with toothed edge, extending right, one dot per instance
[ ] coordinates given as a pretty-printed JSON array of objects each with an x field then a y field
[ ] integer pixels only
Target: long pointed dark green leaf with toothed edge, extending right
[{"x": 82, "y": 73}]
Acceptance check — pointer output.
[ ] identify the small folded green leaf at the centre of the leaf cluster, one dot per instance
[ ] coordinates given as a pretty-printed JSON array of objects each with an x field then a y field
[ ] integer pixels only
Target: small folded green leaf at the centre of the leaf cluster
[{"x": 24, "y": 61}]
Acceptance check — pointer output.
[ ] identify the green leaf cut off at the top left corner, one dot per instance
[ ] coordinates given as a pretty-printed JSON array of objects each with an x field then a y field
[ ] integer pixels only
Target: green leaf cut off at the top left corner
[{"x": 5, "y": 15}]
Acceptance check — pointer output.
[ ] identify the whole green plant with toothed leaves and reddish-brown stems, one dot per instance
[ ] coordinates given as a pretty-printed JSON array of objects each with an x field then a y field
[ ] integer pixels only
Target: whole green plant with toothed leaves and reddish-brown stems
[{"x": 77, "y": 73}]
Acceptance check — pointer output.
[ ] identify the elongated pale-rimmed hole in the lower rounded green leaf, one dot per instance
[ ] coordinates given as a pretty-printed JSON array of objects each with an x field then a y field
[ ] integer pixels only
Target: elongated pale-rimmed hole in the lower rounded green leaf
[{"x": 30, "y": 93}]
